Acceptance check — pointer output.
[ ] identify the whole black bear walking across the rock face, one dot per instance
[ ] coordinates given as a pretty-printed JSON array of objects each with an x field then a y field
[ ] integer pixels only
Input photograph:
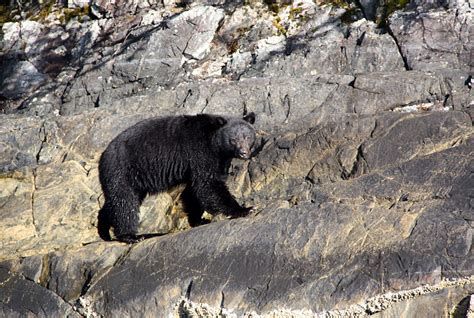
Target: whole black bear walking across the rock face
[{"x": 158, "y": 153}]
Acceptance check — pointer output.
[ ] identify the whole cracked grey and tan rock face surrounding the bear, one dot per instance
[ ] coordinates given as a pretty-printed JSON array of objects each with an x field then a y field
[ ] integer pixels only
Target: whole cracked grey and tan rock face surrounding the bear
[{"x": 362, "y": 181}]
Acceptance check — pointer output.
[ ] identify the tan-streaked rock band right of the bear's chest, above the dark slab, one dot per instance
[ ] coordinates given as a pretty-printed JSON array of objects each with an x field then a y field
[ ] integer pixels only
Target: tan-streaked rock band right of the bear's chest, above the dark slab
[{"x": 343, "y": 149}]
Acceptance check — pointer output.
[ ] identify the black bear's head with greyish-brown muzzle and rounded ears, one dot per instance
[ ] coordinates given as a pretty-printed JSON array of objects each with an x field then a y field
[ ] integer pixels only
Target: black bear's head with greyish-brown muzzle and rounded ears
[{"x": 236, "y": 137}]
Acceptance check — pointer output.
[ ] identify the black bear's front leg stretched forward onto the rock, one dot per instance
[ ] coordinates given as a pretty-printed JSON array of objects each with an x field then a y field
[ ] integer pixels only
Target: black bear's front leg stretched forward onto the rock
[{"x": 214, "y": 197}]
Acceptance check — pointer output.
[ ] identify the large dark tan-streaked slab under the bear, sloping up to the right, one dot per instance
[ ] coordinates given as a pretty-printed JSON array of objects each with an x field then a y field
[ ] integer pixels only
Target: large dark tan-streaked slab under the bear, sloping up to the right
[{"x": 317, "y": 255}]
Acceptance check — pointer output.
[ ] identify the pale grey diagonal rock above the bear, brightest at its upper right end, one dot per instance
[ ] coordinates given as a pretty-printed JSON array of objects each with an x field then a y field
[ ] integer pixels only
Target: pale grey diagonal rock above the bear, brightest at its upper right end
[{"x": 150, "y": 56}]
